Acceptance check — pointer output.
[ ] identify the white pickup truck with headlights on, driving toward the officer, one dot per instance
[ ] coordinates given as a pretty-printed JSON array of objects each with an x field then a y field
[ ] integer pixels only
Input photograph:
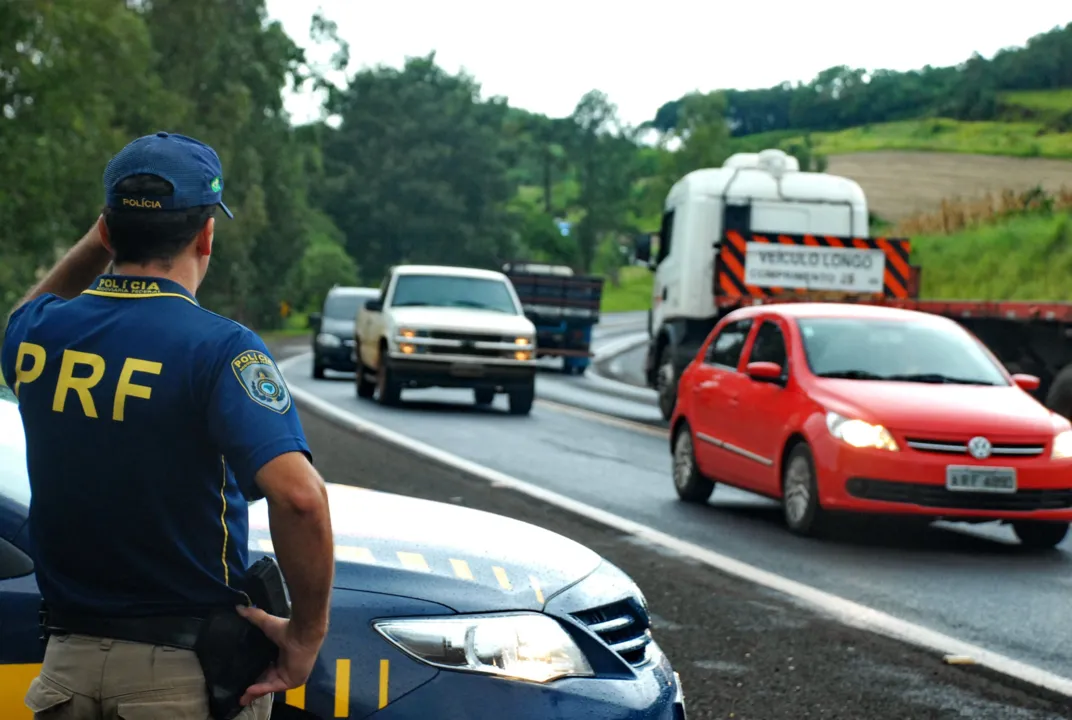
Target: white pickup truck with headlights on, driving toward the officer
[{"x": 438, "y": 326}]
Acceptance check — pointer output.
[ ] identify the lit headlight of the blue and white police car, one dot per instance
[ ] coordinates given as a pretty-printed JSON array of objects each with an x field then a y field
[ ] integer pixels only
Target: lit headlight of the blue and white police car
[{"x": 524, "y": 647}]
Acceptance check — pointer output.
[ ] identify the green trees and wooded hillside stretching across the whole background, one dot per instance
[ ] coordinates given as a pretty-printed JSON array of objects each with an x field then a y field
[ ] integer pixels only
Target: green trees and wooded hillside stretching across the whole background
[{"x": 414, "y": 164}]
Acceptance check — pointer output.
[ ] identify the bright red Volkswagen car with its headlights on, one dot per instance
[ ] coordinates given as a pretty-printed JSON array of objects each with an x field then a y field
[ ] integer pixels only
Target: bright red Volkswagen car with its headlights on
[{"x": 860, "y": 409}]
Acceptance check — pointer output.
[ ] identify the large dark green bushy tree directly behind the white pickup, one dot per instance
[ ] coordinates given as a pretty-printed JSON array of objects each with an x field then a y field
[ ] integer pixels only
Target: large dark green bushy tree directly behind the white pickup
[{"x": 416, "y": 170}]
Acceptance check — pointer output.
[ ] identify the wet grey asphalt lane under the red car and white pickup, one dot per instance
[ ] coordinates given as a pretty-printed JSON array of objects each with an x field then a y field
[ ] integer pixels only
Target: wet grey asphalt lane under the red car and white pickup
[{"x": 973, "y": 583}]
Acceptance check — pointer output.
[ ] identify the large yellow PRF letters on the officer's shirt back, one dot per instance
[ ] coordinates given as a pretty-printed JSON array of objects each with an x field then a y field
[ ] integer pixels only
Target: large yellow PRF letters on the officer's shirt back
[{"x": 31, "y": 363}]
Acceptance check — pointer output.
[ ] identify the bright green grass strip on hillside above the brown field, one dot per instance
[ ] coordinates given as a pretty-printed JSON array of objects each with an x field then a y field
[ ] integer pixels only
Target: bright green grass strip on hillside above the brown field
[{"x": 1020, "y": 140}]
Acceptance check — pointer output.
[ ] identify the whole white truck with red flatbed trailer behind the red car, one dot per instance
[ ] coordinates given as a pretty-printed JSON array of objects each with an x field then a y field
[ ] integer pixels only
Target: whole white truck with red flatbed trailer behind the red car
[{"x": 760, "y": 231}]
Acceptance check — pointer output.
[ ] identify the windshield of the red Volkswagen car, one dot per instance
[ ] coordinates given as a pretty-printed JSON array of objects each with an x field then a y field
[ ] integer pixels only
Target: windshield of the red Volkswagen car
[{"x": 896, "y": 351}]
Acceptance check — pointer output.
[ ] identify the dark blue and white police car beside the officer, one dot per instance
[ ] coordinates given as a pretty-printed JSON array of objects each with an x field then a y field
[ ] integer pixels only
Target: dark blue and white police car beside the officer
[{"x": 438, "y": 612}]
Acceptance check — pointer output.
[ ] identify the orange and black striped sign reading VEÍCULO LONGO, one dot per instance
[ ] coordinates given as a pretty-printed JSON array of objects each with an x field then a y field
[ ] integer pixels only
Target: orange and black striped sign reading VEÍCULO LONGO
[{"x": 768, "y": 265}]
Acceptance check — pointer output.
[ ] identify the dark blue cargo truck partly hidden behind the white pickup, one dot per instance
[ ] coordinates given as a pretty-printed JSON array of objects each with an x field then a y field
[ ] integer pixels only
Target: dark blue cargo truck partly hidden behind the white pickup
[{"x": 563, "y": 306}]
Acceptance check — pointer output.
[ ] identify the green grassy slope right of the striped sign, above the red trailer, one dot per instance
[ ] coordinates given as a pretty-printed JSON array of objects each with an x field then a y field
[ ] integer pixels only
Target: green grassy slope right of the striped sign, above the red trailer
[{"x": 1024, "y": 259}]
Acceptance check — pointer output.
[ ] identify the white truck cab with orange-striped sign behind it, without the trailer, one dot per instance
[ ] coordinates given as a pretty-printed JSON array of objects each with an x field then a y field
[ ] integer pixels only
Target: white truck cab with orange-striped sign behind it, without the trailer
[{"x": 716, "y": 246}]
